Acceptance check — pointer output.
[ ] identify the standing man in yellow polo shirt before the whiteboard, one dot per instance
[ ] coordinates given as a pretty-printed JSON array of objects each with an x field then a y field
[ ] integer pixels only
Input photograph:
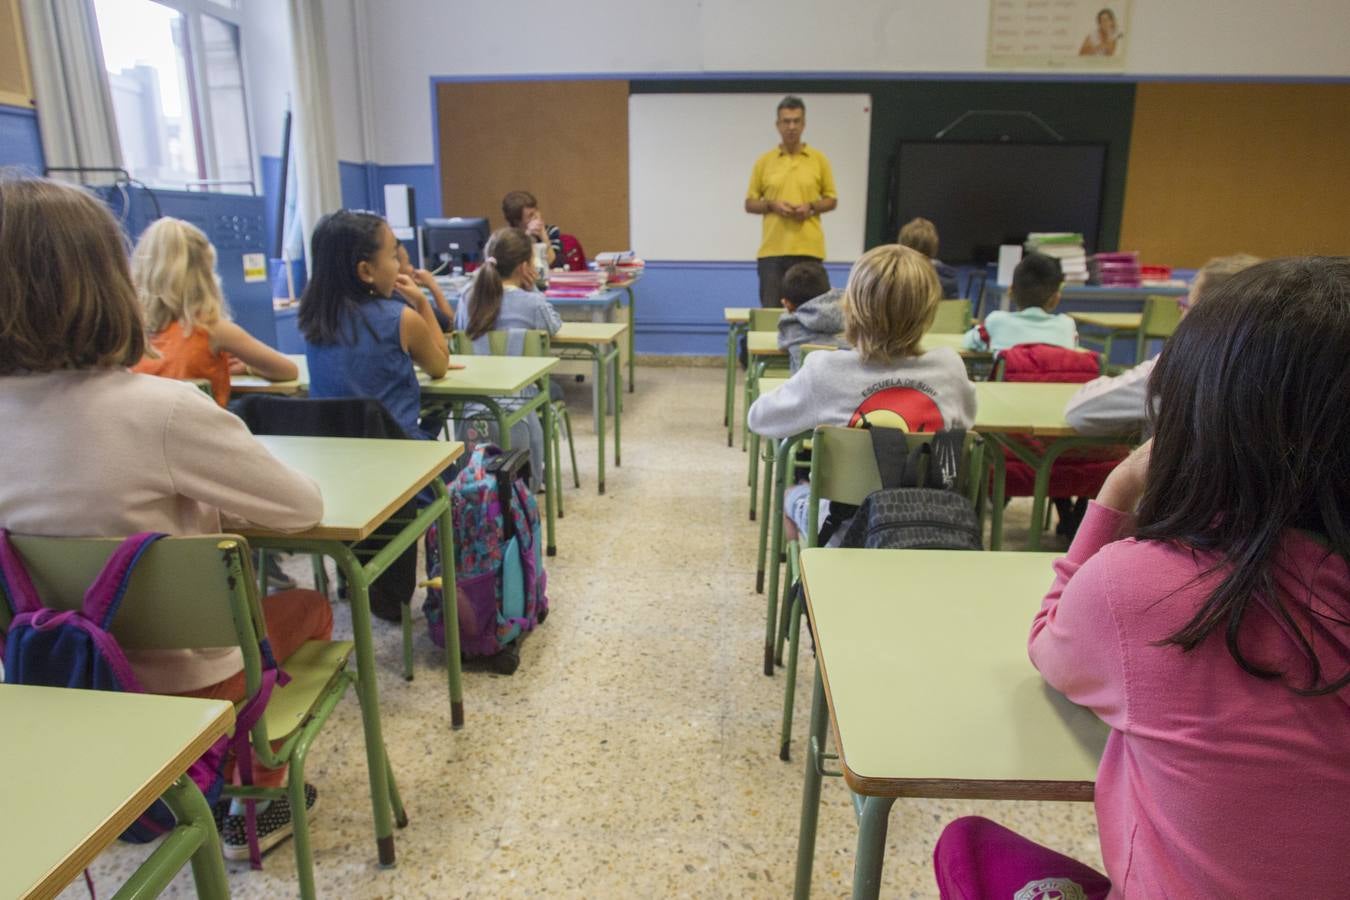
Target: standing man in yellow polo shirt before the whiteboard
[{"x": 790, "y": 187}]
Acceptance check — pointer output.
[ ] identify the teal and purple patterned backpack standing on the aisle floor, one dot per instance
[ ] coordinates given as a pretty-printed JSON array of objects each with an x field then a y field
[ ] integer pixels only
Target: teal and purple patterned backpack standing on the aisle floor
[{"x": 500, "y": 574}]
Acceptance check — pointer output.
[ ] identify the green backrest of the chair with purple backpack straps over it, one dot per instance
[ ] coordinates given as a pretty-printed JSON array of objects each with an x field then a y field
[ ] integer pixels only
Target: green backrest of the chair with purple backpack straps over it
[{"x": 187, "y": 593}]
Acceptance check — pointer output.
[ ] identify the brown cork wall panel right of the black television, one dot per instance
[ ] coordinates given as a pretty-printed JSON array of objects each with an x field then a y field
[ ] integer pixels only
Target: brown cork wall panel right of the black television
[{"x": 1226, "y": 168}]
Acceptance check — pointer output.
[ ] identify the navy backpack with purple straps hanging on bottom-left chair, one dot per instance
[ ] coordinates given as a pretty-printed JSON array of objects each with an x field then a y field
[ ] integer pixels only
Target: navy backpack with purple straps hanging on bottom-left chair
[{"x": 75, "y": 650}]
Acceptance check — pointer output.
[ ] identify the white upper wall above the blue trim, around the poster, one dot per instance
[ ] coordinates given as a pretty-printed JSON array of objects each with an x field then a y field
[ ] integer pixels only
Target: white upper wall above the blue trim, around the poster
[{"x": 411, "y": 41}]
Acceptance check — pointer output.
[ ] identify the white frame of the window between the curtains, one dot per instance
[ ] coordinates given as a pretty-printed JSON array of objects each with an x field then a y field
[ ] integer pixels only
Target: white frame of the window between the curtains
[{"x": 203, "y": 121}]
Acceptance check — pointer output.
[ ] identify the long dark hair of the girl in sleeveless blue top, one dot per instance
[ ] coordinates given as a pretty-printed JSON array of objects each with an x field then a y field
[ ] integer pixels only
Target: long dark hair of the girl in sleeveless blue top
[{"x": 333, "y": 298}]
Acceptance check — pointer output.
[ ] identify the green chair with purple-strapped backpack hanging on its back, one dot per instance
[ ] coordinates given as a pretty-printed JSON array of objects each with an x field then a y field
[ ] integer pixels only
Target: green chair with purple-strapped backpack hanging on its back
[{"x": 199, "y": 593}]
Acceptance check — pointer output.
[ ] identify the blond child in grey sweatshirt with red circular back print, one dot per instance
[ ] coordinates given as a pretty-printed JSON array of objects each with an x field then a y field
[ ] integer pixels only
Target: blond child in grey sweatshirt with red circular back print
[{"x": 892, "y": 300}]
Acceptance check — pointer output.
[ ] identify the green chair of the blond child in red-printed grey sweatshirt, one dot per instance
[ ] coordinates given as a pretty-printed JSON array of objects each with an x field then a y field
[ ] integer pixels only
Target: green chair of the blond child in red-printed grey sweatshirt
[{"x": 844, "y": 472}]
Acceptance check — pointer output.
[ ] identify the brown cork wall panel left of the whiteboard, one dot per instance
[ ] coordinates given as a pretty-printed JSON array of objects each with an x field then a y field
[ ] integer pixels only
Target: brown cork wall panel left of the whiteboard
[{"x": 564, "y": 141}]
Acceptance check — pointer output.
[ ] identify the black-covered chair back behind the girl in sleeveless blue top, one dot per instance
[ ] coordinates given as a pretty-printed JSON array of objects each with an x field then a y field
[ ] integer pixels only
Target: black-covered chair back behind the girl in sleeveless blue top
[{"x": 310, "y": 418}]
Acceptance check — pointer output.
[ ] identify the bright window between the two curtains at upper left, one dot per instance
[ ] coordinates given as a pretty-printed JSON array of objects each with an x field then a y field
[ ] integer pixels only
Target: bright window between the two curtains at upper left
[{"x": 178, "y": 92}]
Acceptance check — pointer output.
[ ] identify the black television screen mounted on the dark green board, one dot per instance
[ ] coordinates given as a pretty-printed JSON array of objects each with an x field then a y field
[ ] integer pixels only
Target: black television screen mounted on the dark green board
[{"x": 989, "y": 194}]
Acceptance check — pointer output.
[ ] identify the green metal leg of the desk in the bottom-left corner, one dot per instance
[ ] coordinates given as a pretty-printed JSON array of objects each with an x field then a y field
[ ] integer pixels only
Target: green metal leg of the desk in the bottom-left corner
[{"x": 194, "y": 840}]
